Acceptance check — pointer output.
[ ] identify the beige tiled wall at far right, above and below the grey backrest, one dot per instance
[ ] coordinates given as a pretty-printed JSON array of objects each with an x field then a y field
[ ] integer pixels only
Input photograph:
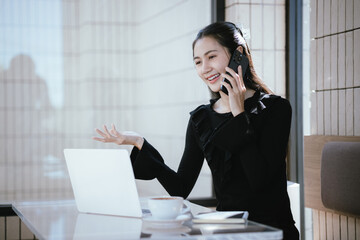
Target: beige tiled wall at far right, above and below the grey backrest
[{"x": 335, "y": 86}]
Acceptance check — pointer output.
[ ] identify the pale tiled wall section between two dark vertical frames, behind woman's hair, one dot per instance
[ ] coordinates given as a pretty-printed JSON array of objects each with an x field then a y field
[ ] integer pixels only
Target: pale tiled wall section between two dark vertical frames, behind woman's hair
[{"x": 264, "y": 24}]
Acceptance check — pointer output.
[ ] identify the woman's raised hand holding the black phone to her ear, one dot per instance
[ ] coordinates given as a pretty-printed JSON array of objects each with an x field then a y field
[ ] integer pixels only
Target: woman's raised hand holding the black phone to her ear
[{"x": 236, "y": 92}]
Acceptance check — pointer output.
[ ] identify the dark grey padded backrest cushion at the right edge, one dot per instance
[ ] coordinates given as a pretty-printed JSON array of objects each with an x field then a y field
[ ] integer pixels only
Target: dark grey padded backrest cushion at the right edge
[{"x": 340, "y": 177}]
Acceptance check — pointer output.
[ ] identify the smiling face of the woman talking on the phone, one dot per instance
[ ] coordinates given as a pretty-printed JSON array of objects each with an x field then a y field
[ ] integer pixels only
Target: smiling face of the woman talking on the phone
[{"x": 210, "y": 60}]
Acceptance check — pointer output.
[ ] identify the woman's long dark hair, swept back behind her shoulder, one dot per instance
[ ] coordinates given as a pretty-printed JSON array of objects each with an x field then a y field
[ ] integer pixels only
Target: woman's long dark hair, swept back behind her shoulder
[{"x": 230, "y": 36}]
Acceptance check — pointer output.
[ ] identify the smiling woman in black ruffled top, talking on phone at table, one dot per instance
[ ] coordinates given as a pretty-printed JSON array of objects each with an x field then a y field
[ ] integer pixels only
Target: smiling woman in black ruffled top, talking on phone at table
[{"x": 243, "y": 136}]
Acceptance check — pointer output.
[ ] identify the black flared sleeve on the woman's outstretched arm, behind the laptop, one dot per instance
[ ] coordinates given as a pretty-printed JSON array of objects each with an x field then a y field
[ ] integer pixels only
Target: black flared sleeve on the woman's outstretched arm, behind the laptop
[{"x": 149, "y": 164}]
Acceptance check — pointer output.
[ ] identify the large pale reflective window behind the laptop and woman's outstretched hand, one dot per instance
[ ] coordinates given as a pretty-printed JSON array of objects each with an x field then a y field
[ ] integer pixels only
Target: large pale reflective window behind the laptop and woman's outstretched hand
[{"x": 69, "y": 66}]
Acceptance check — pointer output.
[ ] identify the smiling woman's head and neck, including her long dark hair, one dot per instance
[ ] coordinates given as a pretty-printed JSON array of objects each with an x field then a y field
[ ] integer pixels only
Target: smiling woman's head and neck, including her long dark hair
[{"x": 212, "y": 52}]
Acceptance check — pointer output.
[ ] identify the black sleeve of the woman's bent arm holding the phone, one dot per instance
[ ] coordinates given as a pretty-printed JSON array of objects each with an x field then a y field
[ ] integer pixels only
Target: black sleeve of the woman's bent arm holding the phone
[{"x": 261, "y": 146}]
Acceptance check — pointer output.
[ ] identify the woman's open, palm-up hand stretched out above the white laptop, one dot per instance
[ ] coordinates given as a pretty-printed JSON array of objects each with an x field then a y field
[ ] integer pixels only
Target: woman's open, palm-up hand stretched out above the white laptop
[{"x": 120, "y": 138}]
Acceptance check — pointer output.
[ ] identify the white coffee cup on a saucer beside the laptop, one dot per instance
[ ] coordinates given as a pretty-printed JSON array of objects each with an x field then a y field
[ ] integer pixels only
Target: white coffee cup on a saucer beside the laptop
[{"x": 166, "y": 207}]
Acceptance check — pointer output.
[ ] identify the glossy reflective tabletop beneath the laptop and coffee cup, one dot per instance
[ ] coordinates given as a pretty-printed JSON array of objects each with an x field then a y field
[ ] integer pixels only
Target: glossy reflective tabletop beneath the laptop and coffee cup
[{"x": 61, "y": 220}]
